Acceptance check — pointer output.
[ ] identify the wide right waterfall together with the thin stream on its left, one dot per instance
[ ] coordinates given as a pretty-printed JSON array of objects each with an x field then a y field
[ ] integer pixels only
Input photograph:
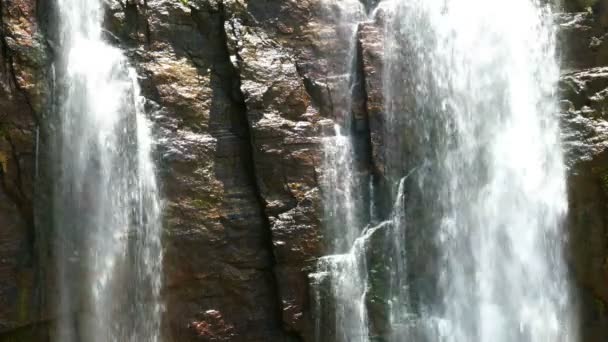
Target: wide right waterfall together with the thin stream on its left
[{"x": 473, "y": 247}]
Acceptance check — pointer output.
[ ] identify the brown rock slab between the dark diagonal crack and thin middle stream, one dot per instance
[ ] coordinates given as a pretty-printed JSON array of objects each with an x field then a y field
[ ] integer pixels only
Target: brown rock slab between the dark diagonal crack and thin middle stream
[{"x": 286, "y": 154}]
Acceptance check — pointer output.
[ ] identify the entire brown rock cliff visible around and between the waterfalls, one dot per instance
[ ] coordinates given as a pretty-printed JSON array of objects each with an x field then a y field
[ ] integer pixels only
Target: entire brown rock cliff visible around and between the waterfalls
[{"x": 241, "y": 93}]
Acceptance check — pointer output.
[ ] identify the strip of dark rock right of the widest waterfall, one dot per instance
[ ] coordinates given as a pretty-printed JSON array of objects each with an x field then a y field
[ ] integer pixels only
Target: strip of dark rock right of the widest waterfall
[{"x": 584, "y": 90}]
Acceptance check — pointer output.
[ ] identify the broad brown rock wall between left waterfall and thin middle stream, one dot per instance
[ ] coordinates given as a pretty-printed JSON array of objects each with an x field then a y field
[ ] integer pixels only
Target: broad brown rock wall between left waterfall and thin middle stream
[{"x": 239, "y": 148}]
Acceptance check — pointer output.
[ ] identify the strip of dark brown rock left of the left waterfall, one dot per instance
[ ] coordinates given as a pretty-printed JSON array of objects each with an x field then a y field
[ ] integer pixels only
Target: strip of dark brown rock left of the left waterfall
[{"x": 23, "y": 64}]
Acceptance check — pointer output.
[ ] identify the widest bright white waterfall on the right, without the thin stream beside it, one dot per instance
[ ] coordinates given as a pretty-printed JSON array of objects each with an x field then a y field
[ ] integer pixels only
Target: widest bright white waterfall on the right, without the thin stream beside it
[{"x": 470, "y": 105}]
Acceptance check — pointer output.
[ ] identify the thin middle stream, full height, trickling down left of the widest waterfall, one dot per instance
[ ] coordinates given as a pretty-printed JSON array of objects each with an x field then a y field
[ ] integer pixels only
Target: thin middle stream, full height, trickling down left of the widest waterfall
[{"x": 342, "y": 275}]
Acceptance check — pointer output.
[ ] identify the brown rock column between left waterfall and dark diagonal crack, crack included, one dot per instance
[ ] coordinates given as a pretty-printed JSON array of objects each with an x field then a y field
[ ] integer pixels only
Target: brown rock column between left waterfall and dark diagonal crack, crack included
[{"x": 217, "y": 255}]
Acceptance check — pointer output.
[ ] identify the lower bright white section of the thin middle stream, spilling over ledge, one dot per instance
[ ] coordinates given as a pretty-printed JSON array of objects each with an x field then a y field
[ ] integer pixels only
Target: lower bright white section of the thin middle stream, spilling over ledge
[{"x": 343, "y": 272}]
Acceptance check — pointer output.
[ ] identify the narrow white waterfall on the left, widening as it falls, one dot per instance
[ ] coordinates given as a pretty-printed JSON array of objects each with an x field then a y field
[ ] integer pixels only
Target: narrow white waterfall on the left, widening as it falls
[{"x": 107, "y": 207}]
